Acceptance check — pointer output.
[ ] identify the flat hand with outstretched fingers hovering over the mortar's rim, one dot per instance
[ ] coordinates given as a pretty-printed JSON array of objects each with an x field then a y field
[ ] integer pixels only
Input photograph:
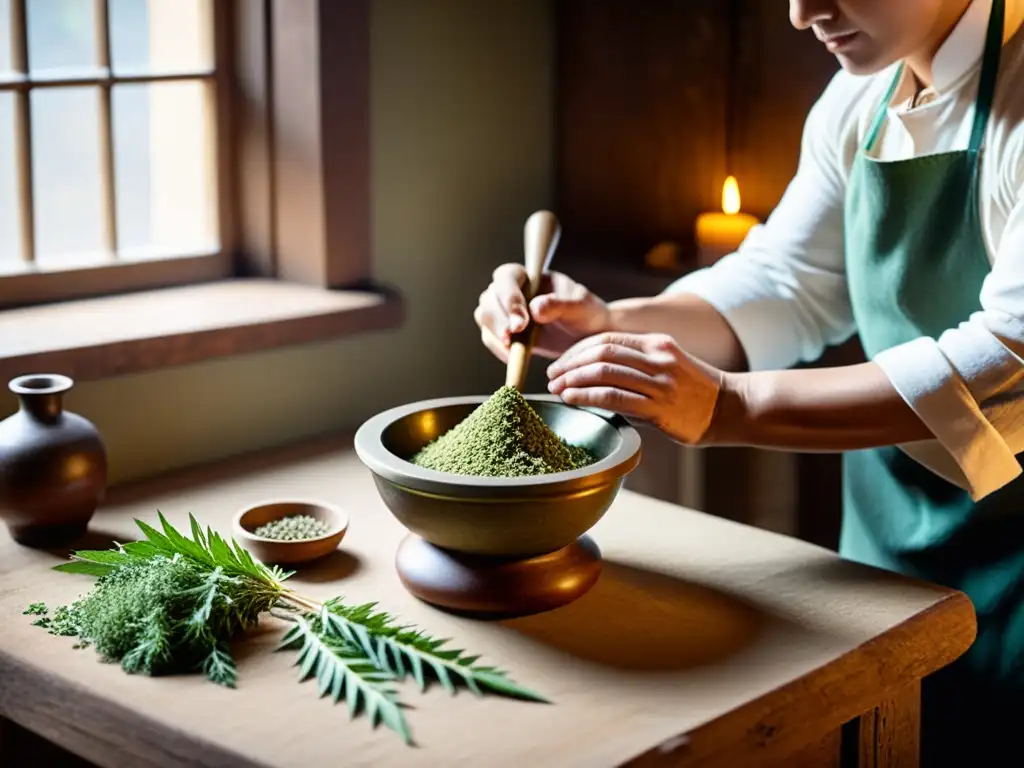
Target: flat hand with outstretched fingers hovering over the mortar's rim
[{"x": 644, "y": 377}]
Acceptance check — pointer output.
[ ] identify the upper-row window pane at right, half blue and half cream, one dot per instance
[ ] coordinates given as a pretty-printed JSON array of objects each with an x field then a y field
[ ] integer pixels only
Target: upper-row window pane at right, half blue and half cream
[{"x": 160, "y": 36}]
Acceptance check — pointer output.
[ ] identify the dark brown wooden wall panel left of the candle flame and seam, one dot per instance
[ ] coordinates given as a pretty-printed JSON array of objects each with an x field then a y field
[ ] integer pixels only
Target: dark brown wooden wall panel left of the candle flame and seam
[{"x": 642, "y": 117}]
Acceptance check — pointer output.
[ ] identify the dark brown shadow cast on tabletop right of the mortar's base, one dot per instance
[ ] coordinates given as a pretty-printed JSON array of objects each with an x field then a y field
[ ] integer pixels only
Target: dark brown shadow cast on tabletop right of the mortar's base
[{"x": 644, "y": 621}]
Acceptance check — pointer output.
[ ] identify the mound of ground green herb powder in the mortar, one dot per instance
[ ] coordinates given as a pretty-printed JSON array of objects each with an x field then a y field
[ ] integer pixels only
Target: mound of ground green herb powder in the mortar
[{"x": 503, "y": 438}]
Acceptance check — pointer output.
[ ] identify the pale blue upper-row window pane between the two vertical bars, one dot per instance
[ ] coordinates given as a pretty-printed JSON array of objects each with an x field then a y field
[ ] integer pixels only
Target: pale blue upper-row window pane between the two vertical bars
[{"x": 62, "y": 36}]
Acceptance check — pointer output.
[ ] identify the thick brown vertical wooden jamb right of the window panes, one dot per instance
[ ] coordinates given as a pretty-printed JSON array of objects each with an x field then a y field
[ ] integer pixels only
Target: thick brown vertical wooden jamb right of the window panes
[{"x": 304, "y": 136}]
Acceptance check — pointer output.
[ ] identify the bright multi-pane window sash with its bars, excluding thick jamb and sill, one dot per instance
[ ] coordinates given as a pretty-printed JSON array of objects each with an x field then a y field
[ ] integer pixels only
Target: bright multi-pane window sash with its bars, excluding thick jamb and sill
[{"x": 112, "y": 117}]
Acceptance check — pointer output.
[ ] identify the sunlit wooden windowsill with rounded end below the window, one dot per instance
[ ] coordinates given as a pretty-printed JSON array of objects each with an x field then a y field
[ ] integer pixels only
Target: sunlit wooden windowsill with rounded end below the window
[{"x": 99, "y": 338}]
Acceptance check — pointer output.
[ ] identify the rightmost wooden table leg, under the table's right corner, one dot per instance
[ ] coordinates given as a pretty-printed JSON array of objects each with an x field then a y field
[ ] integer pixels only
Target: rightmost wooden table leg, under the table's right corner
[{"x": 890, "y": 734}]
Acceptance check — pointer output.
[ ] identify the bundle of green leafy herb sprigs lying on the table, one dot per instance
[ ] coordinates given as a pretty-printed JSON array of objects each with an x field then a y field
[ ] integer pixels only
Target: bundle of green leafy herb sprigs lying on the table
[{"x": 172, "y": 605}]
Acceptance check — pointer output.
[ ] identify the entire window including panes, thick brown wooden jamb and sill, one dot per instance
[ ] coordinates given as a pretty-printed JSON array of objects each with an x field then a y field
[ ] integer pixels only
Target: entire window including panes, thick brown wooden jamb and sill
[{"x": 167, "y": 144}]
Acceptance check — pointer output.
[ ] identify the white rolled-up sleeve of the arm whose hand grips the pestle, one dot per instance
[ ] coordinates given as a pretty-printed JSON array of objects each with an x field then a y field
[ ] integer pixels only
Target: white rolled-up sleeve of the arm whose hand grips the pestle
[{"x": 784, "y": 291}]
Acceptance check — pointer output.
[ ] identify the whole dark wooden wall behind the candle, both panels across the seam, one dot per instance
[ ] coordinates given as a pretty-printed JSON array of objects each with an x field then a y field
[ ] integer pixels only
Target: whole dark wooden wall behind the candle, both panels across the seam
[{"x": 644, "y": 99}]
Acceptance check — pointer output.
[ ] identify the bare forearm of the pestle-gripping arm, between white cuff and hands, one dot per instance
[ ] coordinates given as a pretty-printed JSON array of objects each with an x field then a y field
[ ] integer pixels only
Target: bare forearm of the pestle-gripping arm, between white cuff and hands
[{"x": 696, "y": 325}]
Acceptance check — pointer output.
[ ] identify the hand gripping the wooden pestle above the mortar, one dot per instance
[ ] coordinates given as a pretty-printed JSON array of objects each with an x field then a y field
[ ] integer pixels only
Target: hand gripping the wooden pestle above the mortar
[{"x": 566, "y": 311}]
